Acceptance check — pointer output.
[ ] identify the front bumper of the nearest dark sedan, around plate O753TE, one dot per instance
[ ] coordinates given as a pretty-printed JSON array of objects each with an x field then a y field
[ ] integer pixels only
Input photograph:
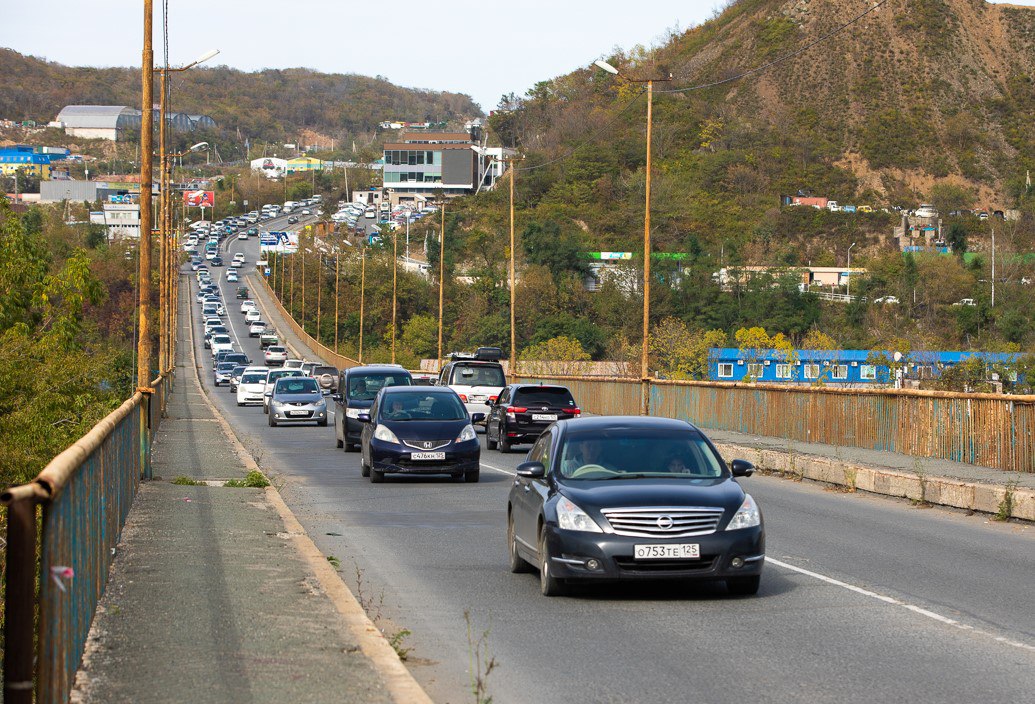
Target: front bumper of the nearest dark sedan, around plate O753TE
[{"x": 571, "y": 551}]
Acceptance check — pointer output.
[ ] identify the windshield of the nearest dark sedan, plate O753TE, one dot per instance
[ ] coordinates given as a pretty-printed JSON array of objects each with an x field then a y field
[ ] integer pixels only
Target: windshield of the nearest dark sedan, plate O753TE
[{"x": 634, "y": 454}]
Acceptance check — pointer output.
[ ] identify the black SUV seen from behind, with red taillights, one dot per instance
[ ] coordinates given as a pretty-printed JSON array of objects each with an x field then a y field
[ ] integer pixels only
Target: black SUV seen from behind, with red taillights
[{"x": 524, "y": 412}]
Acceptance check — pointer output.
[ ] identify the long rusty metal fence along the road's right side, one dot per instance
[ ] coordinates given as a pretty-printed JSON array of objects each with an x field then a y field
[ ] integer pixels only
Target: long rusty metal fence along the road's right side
[{"x": 982, "y": 429}]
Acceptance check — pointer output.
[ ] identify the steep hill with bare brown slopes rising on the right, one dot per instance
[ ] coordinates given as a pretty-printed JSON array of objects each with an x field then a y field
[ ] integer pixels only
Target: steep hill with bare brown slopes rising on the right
[{"x": 919, "y": 98}]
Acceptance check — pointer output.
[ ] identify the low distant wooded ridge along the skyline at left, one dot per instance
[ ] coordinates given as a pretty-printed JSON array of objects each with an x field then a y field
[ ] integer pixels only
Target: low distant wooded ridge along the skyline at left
[{"x": 271, "y": 105}]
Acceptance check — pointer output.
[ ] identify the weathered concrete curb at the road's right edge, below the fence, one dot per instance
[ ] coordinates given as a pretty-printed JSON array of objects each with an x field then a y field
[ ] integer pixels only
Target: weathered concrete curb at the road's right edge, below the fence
[{"x": 937, "y": 490}]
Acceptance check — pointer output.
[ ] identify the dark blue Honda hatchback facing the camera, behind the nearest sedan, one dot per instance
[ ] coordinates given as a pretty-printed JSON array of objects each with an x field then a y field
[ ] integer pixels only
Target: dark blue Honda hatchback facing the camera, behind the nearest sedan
[{"x": 420, "y": 431}]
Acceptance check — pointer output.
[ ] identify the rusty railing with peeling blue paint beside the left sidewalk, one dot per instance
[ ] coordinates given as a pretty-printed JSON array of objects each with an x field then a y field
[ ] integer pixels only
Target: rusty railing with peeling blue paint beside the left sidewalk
[{"x": 84, "y": 495}]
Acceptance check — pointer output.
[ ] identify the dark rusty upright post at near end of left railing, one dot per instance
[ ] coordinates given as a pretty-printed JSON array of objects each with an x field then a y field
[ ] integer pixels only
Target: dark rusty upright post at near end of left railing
[{"x": 20, "y": 602}]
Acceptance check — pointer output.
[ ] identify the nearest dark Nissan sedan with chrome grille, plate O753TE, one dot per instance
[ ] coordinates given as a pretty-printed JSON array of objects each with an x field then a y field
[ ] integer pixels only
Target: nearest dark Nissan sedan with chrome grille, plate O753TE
[{"x": 620, "y": 498}]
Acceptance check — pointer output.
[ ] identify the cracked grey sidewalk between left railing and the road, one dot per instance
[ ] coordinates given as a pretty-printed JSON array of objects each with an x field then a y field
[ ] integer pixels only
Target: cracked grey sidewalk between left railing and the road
[{"x": 215, "y": 596}]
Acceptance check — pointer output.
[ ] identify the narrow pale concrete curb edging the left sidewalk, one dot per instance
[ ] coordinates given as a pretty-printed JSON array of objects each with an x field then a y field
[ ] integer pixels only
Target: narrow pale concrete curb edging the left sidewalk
[{"x": 400, "y": 682}]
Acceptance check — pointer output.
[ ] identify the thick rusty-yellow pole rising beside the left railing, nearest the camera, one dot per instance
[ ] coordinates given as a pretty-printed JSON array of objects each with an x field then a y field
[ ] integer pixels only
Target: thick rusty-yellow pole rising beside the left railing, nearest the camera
[{"x": 144, "y": 272}]
